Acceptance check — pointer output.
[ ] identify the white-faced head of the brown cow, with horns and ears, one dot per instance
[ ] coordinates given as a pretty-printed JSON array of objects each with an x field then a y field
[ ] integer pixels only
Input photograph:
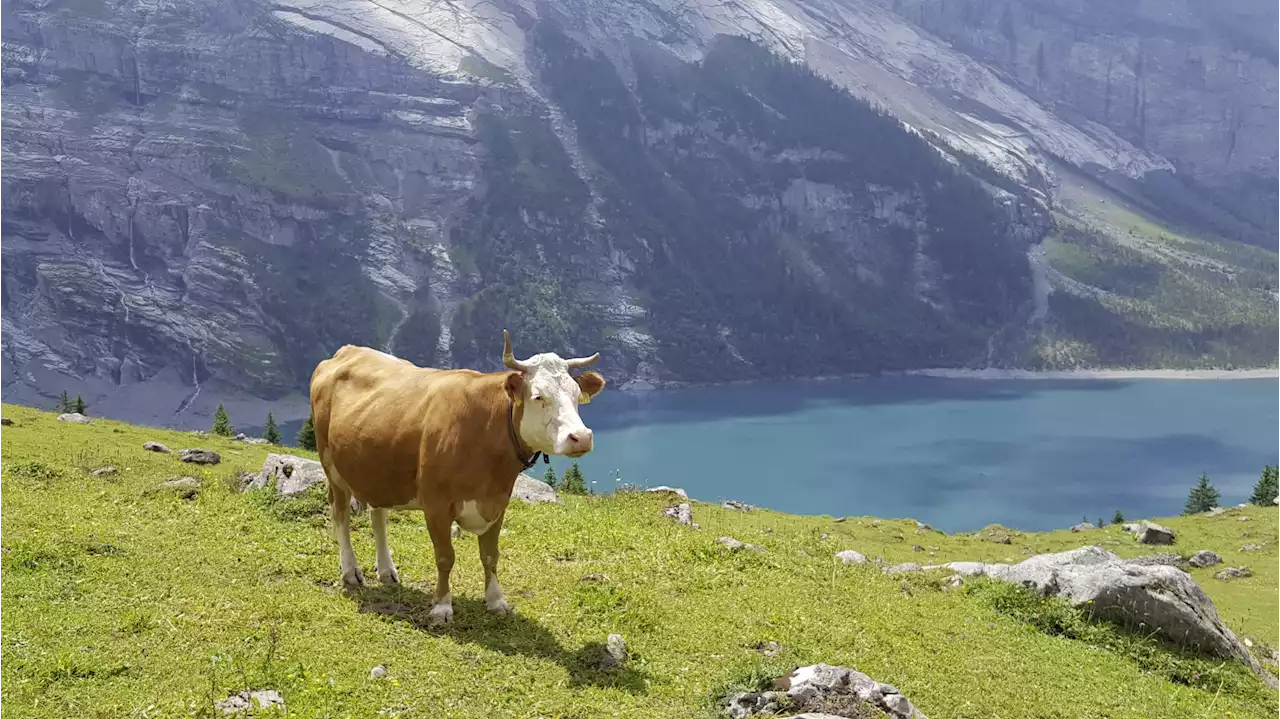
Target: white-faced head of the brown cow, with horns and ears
[{"x": 551, "y": 399}]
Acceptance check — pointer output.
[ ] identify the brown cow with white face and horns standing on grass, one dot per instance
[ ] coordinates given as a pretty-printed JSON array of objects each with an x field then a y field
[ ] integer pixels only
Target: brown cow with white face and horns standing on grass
[{"x": 450, "y": 443}]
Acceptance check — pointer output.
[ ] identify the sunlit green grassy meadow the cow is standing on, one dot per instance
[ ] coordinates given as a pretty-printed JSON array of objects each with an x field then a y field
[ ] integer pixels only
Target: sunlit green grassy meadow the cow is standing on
[{"x": 118, "y": 602}]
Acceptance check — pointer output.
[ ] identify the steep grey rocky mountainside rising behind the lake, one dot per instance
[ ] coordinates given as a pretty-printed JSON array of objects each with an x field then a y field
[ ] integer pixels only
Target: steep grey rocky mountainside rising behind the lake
[{"x": 200, "y": 200}]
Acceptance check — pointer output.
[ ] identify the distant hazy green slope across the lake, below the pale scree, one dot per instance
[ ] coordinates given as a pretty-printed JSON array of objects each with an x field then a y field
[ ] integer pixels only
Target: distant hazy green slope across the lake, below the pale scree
[{"x": 1180, "y": 301}]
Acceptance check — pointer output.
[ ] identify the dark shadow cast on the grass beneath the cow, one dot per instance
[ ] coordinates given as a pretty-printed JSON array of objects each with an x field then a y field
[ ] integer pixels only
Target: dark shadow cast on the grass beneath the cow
[{"x": 511, "y": 635}]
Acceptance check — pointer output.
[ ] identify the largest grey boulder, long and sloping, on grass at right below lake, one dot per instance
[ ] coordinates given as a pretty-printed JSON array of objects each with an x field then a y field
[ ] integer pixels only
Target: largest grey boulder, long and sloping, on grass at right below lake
[{"x": 1156, "y": 598}]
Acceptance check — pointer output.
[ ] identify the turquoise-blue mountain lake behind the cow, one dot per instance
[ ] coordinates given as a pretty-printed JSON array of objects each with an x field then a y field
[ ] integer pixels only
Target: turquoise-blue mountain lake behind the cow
[{"x": 957, "y": 454}]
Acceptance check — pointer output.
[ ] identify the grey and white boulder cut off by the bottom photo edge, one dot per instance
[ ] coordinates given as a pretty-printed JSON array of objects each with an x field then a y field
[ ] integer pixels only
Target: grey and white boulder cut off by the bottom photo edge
[{"x": 820, "y": 686}]
